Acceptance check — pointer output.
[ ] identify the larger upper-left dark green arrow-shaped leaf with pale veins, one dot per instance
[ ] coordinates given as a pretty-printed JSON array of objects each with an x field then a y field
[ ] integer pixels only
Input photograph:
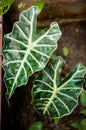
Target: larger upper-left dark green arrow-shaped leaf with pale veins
[{"x": 25, "y": 51}]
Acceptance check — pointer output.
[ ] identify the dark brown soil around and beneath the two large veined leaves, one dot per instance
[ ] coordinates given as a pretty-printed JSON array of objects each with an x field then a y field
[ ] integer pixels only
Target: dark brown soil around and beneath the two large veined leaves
[{"x": 22, "y": 112}]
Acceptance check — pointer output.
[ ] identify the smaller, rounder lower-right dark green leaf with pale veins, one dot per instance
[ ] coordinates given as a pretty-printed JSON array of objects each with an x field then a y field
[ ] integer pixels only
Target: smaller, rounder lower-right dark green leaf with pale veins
[{"x": 55, "y": 98}]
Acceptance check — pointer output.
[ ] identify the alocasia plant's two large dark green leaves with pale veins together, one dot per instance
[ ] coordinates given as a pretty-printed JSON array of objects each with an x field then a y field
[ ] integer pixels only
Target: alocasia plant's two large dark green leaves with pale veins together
[{"x": 25, "y": 52}]
